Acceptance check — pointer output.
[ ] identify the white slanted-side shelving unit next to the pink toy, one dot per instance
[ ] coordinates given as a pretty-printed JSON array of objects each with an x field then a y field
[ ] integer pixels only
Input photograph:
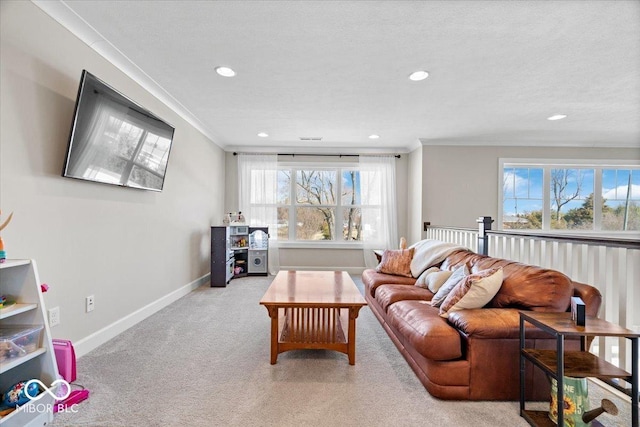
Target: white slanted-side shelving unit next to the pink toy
[{"x": 19, "y": 281}]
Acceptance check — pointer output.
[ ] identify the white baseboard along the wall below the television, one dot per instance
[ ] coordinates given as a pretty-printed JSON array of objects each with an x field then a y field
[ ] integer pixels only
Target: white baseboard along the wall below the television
[{"x": 85, "y": 345}]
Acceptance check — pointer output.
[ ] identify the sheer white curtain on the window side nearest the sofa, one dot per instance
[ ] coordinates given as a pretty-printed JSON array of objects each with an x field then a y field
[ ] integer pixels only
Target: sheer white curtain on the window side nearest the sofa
[{"x": 379, "y": 213}]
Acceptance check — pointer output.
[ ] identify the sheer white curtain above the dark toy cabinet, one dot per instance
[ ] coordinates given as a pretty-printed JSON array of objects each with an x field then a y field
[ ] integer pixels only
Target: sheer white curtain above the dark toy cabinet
[{"x": 257, "y": 197}]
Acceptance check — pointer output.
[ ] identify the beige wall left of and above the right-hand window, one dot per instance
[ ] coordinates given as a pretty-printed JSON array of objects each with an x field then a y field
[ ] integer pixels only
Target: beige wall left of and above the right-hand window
[{"x": 460, "y": 183}]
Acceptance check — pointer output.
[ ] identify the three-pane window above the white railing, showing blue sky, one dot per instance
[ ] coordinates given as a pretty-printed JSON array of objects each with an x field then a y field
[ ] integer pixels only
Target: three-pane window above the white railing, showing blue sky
[{"x": 547, "y": 196}]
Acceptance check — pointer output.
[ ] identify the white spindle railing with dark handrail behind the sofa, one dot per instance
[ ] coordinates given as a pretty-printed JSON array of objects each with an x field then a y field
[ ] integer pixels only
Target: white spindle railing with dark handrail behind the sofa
[{"x": 612, "y": 265}]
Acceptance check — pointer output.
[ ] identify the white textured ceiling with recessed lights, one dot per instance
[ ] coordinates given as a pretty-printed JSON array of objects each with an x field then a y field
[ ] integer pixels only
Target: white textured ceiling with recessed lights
[{"x": 338, "y": 69}]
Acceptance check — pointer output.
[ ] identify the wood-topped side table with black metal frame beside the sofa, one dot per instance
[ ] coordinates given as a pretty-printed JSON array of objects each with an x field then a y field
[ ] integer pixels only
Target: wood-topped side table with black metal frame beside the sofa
[{"x": 579, "y": 364}]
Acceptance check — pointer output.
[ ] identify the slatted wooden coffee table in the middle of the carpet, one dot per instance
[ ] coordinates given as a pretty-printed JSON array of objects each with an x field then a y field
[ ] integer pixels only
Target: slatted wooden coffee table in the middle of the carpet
[{"x": 313, "y": 310}]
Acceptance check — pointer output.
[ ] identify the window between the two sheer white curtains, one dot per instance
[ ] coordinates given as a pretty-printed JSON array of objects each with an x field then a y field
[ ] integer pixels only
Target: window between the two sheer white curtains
[{"x": 319, "y": 204}]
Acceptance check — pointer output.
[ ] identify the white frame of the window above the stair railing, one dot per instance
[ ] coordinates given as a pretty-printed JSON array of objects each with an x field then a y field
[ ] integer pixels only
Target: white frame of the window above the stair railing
[{"x": 547, "y": 165}]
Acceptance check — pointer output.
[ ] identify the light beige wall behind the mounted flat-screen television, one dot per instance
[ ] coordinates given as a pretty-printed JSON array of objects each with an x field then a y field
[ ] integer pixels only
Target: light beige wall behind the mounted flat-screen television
[{"x": 127, "y": 247}]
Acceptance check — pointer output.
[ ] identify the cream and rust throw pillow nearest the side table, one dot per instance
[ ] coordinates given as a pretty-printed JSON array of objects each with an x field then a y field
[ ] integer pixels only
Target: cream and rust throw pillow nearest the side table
[{"x": 474, "y": 291}]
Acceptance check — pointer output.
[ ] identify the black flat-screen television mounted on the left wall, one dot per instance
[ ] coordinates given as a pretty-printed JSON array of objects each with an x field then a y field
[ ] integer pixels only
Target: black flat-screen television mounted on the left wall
[{"x": 116, "y": 141}]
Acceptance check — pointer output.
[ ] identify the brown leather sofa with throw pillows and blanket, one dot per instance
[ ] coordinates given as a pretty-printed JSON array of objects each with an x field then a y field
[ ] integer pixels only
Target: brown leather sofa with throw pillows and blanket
[{"x": 474, "y": 354}]
